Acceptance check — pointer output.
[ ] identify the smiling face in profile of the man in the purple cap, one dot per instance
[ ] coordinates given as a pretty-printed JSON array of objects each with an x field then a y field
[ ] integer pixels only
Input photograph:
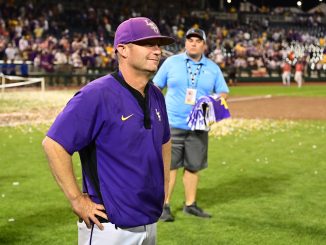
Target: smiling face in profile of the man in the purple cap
[{"x": 144, "y": 55}]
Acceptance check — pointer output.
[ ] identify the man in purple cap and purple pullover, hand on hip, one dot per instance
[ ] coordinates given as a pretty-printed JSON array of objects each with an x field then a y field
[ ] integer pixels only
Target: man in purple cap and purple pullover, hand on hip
[{"x": 118, "y": 124}]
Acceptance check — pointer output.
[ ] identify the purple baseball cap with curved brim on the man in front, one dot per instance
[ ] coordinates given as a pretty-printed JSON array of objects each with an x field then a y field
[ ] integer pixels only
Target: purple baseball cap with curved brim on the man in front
[{"x": 138, "y": 29}]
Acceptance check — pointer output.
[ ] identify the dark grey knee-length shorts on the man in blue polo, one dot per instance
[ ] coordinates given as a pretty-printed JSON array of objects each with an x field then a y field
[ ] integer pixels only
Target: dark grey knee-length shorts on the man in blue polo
[{"x": 189, "y": 149}]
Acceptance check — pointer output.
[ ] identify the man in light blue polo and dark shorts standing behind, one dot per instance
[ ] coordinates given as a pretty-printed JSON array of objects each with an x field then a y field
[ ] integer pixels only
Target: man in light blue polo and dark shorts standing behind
[{"x": 187, "y": 77}]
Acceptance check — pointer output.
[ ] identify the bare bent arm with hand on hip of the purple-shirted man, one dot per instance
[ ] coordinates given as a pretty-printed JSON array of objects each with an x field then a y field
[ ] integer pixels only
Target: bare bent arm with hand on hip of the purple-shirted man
[{"x": 61, "y": 166}]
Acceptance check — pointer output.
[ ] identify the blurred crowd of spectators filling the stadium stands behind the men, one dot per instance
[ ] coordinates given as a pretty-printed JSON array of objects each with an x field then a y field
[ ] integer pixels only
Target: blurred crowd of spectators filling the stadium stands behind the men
[{"x": 54, "y": 34}]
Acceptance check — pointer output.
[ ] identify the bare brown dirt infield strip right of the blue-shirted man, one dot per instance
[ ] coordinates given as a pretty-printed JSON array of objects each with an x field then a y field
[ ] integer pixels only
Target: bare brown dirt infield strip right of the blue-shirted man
[{"x": 279, "y": 107}]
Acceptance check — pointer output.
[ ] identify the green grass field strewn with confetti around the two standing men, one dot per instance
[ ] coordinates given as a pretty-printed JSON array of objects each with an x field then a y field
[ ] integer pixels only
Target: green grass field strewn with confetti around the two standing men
[{"x": 263, "y": 186}]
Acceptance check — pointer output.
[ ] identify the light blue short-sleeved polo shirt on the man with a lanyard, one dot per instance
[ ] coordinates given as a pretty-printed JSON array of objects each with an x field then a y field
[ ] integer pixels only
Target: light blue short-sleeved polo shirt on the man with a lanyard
[{"x": 174, "y": 75}]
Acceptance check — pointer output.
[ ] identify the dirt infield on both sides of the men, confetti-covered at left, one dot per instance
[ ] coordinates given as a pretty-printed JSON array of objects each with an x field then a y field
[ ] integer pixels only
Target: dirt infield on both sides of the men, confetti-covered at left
[{"x": 252, "y": 107}]
